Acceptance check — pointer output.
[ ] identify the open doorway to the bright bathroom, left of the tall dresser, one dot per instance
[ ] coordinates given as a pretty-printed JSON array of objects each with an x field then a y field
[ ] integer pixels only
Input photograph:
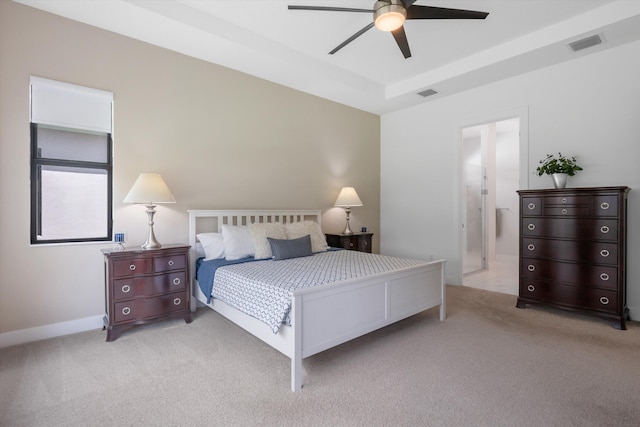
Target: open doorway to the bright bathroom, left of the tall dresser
[{"x": 490, "y": 204}]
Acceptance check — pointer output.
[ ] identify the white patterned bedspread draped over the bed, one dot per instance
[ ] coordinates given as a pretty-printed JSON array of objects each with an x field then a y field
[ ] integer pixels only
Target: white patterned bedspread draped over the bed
[{"x": 262, "y": 288}]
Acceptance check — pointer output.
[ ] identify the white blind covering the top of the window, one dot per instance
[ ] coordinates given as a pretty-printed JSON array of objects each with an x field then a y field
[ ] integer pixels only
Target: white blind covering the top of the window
[{"x": 66, "y": 105}]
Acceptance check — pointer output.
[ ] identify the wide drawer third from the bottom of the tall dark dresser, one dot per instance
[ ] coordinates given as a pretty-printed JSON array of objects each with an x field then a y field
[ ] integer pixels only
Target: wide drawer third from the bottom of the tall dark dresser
[{"x": 592, "y": 252}]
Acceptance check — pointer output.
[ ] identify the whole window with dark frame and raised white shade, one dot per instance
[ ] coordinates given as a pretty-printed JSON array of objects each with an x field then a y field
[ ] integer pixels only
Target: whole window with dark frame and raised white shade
[{"x": 71, "y": 163}]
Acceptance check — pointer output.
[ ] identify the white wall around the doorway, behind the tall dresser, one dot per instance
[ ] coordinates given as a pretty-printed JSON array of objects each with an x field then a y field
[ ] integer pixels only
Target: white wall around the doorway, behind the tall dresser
[{"x": 589, "y": 107}]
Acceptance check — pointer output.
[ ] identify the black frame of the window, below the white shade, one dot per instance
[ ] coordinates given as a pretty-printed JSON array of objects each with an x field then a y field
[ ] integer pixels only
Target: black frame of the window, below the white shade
[{"x": 36, "y": 188}]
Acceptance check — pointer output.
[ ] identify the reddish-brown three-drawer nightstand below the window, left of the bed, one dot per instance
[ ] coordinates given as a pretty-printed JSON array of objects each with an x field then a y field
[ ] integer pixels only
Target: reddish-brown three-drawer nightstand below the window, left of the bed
[{"x": 143, "y": 286}]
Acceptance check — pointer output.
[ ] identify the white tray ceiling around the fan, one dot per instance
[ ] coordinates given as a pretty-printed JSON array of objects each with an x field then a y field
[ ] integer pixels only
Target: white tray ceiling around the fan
[{"x": 290, "y": 47}]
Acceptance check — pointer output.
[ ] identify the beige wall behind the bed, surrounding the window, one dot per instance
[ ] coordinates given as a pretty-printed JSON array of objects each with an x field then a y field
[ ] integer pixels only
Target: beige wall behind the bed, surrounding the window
[{"x": 220, "y": 138}]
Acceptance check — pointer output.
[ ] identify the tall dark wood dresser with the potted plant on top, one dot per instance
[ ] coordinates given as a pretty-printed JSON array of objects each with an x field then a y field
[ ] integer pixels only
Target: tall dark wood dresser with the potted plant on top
[{"x": 572, "y": 250}]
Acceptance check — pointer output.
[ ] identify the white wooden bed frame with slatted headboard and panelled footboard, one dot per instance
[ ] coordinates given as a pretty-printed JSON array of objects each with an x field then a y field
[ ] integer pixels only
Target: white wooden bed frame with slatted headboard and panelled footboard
[{"x": 326, "y": 316}]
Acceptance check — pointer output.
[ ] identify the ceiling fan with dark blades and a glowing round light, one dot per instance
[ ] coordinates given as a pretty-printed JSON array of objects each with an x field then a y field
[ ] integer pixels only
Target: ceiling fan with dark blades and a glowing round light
[{"x": 389, "y": 15}]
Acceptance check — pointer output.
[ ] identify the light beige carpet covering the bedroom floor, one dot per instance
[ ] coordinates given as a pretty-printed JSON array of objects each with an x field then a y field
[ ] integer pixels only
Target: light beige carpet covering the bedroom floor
[{"x": 488, "y": 364}]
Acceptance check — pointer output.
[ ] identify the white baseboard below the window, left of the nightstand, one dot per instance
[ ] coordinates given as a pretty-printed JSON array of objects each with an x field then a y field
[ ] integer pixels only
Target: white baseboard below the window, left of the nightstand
[{"x": 50, "y": 331}]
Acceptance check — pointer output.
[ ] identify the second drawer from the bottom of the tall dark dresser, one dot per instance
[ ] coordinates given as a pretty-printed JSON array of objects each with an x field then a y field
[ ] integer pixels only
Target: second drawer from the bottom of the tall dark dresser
[{"x": 565, "y": 272}]
